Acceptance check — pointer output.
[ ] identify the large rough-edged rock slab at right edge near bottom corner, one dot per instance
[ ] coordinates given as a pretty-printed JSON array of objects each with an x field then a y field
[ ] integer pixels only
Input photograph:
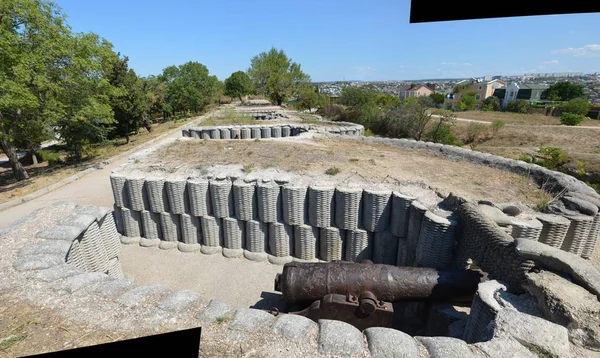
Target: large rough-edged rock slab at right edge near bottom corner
[{"x": 569, "y": 305}]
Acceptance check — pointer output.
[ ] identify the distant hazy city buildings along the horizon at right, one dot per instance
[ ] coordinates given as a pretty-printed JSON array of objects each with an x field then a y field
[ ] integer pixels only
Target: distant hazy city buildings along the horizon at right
[{"x": 591, "y": 83}]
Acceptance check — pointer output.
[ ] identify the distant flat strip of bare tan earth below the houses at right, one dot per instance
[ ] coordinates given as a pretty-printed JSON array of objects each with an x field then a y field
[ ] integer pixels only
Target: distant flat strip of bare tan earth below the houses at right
[{"x": 518, "y": 118}]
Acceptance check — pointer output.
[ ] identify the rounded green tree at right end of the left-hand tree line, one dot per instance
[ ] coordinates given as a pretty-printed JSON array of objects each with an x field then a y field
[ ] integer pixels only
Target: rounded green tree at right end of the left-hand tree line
[{"x": 189, "y": 86}]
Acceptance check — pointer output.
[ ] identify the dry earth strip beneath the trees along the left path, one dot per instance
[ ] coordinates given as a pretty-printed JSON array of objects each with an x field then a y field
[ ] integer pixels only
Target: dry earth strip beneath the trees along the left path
[{"x": 42, "y": 175}]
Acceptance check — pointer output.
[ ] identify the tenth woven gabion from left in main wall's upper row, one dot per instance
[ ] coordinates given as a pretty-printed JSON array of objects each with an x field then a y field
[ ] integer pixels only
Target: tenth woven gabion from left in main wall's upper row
[{"x": 321, "y": 204}]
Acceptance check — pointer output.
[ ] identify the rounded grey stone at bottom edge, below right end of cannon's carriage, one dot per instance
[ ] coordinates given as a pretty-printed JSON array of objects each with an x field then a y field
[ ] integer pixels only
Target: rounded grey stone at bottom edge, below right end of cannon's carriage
[{"x": 387, "y": 342}]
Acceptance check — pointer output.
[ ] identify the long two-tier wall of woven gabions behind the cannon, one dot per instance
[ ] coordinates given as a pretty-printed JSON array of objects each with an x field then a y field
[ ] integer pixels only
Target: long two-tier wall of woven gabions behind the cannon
[{"x": 309, "y": 222}]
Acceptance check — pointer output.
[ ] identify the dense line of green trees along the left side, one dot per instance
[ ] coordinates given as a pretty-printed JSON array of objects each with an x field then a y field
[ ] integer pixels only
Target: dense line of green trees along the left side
[{"x": 55, "y": 83}]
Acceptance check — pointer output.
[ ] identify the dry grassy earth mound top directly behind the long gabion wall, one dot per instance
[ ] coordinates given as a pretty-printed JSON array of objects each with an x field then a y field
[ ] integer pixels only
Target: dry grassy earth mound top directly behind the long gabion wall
[{"x": 376, "y": 163}]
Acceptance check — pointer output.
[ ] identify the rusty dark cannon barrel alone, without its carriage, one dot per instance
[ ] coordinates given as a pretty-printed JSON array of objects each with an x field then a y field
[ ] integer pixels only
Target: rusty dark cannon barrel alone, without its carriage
[{"x": 303, "y": 283}]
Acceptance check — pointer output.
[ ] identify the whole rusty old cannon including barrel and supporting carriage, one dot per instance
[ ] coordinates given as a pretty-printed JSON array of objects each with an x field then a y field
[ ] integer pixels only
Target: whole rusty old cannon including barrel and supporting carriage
[{"x": 362, "y": 294}]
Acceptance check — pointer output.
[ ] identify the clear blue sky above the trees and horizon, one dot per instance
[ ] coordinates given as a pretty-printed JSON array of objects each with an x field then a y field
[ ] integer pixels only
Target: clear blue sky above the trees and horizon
[{"x": 336, "y": 40}]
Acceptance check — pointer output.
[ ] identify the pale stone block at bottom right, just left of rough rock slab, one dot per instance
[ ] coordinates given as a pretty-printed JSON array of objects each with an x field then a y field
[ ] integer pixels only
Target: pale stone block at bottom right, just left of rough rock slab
[{"x": 532, "y": 332}]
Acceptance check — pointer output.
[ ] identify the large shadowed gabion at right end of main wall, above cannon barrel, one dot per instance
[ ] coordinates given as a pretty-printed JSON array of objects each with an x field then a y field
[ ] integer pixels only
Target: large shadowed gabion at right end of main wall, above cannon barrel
[{"x": 436, "y": 241}]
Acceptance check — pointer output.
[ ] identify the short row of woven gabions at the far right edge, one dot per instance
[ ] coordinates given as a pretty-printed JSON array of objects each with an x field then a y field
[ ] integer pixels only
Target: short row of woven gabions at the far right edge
[{"x": 575, "y": 234}]
